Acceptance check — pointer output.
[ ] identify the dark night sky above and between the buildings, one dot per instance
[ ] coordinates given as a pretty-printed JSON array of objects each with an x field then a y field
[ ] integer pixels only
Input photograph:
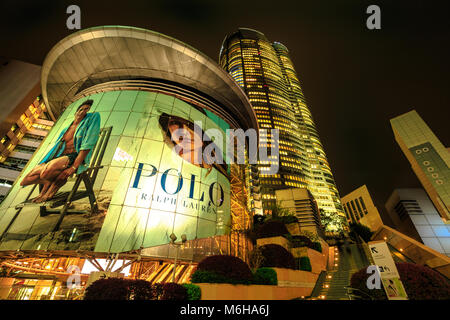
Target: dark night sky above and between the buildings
[{"x": 354, "y": 79}]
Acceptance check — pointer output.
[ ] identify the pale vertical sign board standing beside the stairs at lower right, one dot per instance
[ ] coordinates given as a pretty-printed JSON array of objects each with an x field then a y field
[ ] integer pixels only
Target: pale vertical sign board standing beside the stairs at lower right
[{"x": 389, "y": 274}]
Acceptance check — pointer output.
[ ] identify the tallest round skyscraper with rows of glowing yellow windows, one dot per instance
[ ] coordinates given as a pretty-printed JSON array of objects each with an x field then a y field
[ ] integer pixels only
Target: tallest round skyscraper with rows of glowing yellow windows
[{"x": 266, "y": 73}]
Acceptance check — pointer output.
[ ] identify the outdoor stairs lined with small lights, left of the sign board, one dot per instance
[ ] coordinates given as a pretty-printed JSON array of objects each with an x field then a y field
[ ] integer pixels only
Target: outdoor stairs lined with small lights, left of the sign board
[{"x": 331, "y": 285}]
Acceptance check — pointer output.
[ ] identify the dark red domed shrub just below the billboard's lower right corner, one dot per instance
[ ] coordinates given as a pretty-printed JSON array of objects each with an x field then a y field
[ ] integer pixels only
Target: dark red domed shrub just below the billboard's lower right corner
[{"x": 229, "y": 267}]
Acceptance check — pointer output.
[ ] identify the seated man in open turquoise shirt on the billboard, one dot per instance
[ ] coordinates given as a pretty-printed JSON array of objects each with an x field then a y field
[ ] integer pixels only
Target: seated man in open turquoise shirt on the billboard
[{"x": 70, "y": 154}]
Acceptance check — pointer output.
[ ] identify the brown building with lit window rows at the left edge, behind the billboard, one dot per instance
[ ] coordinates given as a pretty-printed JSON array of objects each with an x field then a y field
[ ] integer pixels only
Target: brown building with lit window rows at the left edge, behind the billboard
[{"x": 24, "y": 121}]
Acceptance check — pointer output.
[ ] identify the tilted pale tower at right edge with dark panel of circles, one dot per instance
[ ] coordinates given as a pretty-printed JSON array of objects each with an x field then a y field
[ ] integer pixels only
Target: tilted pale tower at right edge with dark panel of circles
[{"x": 429, "y": 159}]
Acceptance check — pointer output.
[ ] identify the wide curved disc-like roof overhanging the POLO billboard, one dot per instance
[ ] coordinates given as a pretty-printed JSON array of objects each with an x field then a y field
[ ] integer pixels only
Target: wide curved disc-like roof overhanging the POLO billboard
[{"x": 117, "y": 56}]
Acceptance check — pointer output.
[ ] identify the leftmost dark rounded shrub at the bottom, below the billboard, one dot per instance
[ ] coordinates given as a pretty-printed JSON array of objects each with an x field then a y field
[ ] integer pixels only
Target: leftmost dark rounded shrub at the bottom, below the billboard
[{"x": 108, "y": 289}]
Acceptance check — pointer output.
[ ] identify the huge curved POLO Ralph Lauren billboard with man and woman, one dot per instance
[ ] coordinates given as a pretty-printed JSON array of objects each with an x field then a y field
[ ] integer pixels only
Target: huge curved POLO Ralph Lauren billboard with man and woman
[{"x": 110, "y": 177}]
